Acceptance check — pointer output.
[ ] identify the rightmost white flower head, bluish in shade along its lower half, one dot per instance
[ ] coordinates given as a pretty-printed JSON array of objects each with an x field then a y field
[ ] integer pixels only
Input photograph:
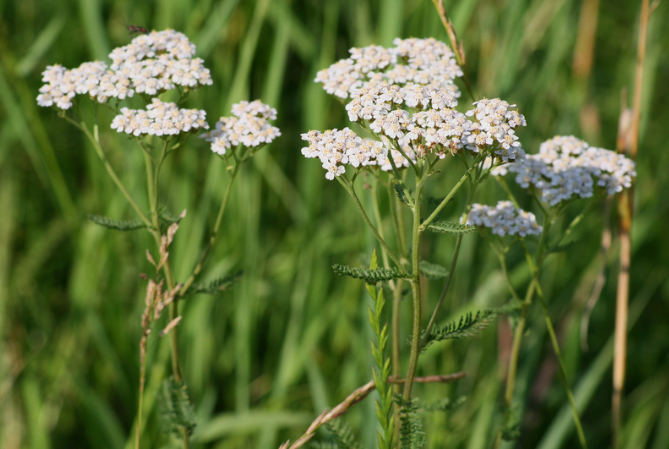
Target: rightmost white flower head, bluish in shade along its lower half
[{"x": 567, "y": 167}]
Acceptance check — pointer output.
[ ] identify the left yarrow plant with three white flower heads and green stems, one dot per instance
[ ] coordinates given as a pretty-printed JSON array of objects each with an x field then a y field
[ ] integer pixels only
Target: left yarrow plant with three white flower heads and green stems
[{"x": 153, "y": 64}]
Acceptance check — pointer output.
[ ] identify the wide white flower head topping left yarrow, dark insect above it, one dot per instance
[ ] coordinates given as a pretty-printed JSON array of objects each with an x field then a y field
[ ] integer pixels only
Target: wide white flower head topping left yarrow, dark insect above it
[{"x": 151, "y": 64}]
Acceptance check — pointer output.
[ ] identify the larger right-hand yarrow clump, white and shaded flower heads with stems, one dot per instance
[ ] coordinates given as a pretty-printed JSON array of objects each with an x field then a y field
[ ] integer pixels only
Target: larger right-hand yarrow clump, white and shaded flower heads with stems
[{"x": 405, "y": 105}]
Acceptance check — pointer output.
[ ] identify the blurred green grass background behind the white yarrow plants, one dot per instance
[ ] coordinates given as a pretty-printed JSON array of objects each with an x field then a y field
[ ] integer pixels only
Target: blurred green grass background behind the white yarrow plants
[{"x": 291, "y": 338}]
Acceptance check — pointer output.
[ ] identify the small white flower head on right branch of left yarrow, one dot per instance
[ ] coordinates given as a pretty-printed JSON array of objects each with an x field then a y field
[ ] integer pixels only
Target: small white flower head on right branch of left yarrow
[{"x": 248, "y": 126}]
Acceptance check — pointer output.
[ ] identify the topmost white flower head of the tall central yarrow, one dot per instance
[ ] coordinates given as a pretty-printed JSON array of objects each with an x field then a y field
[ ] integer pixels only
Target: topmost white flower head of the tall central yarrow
[{"x": 421, "y": 61}]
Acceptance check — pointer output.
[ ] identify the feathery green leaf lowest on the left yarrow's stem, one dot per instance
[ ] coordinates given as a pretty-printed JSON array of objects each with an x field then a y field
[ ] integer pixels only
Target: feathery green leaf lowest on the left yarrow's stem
[{"x": 176, "y": 410}]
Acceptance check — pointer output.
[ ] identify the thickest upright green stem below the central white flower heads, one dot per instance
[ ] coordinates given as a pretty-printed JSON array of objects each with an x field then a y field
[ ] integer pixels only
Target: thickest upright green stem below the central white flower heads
[{"x": 416, "y": 290}]
